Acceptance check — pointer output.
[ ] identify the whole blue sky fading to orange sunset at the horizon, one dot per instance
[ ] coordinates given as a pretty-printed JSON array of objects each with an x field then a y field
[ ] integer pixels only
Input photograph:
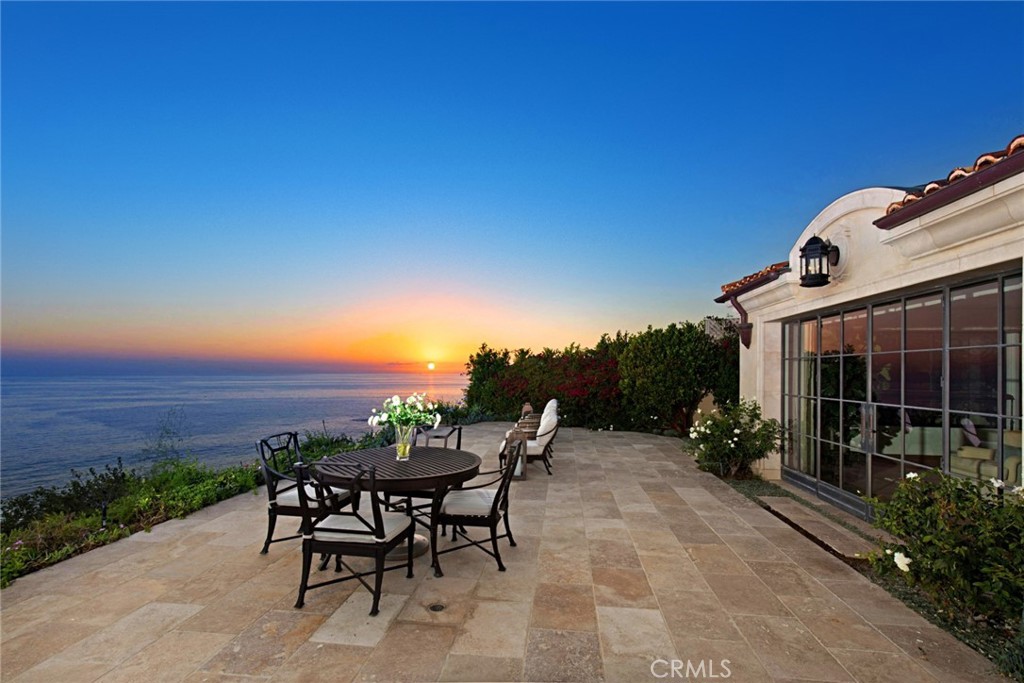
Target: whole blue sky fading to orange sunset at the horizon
[{"x": 388, "y": 185}]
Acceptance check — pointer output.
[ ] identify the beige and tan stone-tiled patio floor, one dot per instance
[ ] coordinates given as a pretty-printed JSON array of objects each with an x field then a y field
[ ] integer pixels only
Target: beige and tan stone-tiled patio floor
[{"x": 628, "y": 560}]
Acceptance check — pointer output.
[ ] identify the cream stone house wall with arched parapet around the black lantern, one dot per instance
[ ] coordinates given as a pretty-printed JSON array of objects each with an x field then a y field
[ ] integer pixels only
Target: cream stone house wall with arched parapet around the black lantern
[{"x": 982, "y": 232}]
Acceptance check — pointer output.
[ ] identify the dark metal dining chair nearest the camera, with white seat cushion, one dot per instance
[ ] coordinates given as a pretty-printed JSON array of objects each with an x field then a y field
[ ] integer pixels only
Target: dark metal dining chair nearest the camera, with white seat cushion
[{"x": 370, "y": 533}]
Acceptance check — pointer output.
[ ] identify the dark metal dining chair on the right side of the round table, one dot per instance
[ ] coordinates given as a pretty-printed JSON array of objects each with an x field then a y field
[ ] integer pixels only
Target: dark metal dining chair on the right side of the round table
[{"x": 479, "y": 506}]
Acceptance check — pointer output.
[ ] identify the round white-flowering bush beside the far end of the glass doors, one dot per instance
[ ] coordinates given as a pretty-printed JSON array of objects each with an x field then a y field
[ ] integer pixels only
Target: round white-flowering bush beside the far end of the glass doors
[{"x": 731, "y": 440}]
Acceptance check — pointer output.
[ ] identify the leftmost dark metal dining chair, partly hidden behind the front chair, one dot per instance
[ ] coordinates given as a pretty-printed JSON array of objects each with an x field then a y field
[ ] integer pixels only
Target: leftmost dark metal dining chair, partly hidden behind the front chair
[{"x": 278, "y": 456}]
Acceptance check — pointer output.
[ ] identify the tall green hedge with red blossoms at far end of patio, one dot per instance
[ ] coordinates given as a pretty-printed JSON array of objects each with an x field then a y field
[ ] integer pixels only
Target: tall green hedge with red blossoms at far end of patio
[{"x": 649, "y": 381}]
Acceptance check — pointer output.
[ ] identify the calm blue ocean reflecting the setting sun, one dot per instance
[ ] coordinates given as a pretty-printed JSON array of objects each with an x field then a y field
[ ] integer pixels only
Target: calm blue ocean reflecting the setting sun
[{"x": 51, "y": 425}]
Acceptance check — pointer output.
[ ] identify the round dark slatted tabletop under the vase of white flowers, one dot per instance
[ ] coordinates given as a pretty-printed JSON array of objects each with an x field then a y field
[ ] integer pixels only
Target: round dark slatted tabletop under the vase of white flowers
[{"x": 426, "y": 468}]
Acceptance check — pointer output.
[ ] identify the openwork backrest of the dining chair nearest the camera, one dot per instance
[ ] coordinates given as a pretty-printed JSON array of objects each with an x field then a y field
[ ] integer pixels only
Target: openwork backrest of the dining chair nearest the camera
[{"x": 362, "y": 487}]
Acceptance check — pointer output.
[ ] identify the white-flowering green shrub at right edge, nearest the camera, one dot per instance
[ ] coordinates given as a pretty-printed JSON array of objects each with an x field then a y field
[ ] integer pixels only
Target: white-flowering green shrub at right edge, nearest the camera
[{"x": 961, "y": 543}]
